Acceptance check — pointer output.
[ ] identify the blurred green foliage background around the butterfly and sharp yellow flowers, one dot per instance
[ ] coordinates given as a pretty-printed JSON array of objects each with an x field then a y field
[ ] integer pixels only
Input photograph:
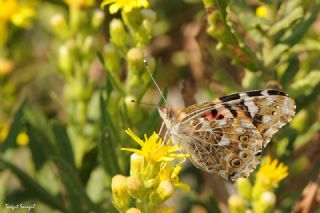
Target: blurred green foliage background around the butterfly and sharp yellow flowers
[{"x": 69, "y": 70}]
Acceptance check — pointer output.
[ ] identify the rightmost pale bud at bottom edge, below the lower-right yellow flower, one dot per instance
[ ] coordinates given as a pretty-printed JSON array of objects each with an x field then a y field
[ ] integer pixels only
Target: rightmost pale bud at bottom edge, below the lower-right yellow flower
[{"x": 265, "y": 204}]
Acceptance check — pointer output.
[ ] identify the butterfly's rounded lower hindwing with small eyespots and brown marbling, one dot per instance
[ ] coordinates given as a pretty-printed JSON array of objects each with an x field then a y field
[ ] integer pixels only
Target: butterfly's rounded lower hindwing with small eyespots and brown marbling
[{"x": 229, "y": 147}]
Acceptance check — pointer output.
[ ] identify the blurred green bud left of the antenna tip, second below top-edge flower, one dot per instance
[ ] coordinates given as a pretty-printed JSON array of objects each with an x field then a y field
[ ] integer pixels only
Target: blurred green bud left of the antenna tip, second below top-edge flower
[{"x": 111, "y": 59}]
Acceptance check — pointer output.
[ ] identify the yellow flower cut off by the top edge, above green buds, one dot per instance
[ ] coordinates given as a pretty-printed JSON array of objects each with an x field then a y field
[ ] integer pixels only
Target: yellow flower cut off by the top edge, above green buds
[{"x": 125, "y": 5}]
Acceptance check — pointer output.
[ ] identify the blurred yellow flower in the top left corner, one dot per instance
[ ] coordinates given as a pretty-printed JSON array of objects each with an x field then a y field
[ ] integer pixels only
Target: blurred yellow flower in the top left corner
[{"x": 20, "y": 14}]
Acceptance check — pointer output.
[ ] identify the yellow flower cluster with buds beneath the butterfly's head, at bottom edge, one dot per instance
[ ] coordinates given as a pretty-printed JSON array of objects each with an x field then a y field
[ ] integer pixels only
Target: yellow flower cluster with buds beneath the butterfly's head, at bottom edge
[{"x": 153, "y": 176}]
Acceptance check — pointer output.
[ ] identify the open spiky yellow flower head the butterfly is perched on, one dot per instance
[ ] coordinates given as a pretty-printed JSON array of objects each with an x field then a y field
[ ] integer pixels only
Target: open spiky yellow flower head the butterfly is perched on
[{"x": 153, "y": 149}]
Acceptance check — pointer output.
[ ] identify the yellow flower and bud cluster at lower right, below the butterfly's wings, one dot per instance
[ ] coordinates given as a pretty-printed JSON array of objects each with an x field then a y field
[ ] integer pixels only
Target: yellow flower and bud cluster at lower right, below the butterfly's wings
[{"x": 260, "y": 196}]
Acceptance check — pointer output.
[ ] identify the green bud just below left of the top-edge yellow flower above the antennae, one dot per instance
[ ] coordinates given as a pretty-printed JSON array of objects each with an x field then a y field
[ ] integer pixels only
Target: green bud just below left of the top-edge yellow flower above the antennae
[{"x": 118, "y": 33}]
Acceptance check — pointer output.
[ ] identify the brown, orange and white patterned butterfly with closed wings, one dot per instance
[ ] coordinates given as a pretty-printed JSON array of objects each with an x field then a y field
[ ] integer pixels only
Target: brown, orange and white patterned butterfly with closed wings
[{"x": 227, "y": 136}]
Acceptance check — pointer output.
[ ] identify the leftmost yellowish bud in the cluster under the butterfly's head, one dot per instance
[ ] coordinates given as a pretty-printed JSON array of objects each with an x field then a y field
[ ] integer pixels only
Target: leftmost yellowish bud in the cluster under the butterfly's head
[{"x": 121, "y": 198}]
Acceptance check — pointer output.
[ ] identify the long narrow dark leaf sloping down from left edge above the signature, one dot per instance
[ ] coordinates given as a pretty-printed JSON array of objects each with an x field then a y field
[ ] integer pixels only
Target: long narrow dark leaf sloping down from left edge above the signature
[{"x": 33, "y": 187}]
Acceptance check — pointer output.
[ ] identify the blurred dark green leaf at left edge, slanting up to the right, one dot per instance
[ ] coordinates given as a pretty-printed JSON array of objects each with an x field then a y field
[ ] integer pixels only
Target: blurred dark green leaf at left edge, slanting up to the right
[{"x": 15, "y": 128}]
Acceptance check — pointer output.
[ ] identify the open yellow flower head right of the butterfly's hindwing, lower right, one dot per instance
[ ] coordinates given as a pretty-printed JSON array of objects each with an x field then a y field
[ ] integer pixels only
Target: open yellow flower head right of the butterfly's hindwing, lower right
[{"x": 271, "y": 172}]
